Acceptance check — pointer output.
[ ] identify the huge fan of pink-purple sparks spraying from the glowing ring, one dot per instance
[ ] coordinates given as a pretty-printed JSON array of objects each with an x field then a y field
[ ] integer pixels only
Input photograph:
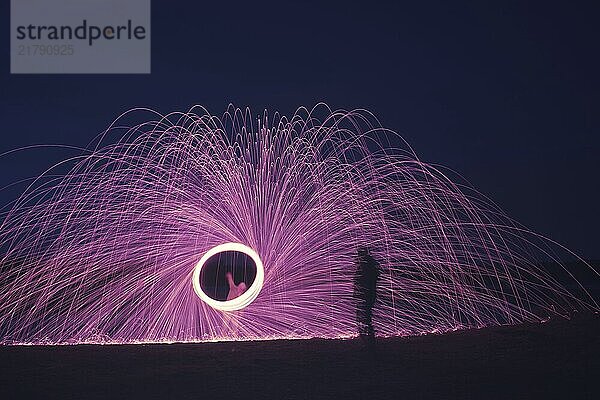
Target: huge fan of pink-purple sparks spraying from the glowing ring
[{"x": 108, "y": 252}]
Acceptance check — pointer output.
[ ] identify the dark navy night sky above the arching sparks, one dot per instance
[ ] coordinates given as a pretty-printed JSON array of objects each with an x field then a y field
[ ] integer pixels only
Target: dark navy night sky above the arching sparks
[{"x": 506, "y": 95}]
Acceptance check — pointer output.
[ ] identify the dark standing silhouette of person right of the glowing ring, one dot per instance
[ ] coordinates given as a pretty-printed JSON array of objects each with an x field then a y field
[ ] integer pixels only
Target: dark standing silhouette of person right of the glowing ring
[{"x": 365, "y": 292}]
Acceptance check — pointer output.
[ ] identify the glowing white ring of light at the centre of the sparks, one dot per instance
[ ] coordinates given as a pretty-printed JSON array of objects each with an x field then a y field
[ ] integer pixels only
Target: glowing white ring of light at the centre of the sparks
[{"x": 245, "y": 298}]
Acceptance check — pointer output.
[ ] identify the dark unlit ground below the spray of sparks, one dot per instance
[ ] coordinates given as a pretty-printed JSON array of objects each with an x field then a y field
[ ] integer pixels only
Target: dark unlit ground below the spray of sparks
[{"x": 558, "y": 359}]
